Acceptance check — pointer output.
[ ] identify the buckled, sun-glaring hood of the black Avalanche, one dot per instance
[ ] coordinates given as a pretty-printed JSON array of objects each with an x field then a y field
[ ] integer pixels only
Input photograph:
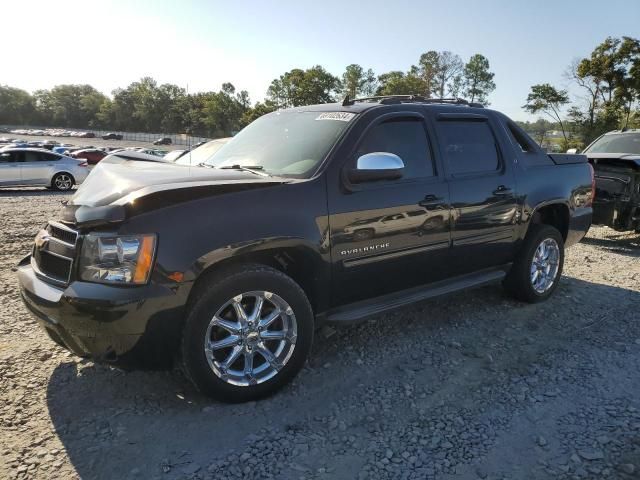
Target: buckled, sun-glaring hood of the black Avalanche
[{"x": 118, "y": 188}]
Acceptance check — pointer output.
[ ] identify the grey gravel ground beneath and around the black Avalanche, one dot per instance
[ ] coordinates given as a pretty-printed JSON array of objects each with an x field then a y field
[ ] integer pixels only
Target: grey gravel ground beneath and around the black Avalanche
[{"x": 473, "y": 386}]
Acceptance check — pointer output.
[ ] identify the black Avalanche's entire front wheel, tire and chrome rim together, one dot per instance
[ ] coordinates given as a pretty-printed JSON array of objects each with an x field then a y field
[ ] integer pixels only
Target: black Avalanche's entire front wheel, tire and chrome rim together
[{"x": 248, "y": 334}]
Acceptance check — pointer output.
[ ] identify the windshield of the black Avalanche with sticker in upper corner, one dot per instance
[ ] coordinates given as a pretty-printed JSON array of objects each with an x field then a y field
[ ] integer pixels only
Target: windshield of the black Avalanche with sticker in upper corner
[{"x": 284, "y": 143}]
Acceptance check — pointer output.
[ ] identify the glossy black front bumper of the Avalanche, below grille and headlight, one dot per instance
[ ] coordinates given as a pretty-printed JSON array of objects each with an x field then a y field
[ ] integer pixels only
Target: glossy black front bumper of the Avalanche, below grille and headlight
[{"x": 128, "y": 325}]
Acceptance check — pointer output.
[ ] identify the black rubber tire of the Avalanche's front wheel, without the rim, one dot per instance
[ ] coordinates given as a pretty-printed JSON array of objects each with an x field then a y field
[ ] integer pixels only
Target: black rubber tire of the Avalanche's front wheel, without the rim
[{"x": 212, "y": 296}]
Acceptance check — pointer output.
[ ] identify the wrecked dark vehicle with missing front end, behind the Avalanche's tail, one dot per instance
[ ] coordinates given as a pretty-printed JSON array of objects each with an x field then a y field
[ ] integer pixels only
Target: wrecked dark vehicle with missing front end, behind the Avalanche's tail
[{"x": 615, "y": 156}]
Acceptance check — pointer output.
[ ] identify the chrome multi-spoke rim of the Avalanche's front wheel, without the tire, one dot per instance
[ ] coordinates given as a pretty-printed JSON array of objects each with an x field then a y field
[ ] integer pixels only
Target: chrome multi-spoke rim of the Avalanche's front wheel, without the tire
[{"x": 250, "y": 338}]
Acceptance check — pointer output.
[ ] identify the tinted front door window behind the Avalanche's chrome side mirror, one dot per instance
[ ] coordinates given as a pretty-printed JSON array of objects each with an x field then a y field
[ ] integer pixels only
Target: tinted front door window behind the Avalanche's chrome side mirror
[{"x": 404, "y": 137}]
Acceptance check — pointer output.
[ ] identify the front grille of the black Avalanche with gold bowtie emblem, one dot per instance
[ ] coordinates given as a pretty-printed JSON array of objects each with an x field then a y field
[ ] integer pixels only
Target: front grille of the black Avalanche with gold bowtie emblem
[{"x": 54, "y": 253}]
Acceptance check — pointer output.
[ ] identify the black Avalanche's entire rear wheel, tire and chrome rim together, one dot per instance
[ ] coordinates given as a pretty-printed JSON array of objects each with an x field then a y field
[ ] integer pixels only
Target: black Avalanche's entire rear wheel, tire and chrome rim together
[{"x": 536, "y": 271}]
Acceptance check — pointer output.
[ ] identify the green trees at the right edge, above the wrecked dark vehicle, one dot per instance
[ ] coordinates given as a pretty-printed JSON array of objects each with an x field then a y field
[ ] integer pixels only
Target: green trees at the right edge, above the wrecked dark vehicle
[{"x": 608, "y": 86}]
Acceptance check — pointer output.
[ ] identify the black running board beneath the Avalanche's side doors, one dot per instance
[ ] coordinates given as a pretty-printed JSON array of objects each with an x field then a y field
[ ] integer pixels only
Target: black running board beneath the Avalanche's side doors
[{"x": 367, "y": 308}]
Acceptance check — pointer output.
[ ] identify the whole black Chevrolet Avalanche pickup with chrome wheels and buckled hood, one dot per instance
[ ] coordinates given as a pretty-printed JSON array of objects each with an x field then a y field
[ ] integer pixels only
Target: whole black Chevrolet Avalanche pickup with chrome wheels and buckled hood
[{"x": 326, "y": 213}]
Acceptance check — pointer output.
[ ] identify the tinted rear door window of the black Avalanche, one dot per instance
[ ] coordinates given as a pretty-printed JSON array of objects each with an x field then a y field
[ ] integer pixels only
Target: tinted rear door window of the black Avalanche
[{"x": 468, "y": 146}]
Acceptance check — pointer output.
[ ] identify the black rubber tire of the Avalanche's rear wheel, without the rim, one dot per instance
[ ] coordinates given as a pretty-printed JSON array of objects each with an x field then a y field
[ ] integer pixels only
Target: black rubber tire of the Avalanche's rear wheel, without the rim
[{"x": 518, "y": 282}]
